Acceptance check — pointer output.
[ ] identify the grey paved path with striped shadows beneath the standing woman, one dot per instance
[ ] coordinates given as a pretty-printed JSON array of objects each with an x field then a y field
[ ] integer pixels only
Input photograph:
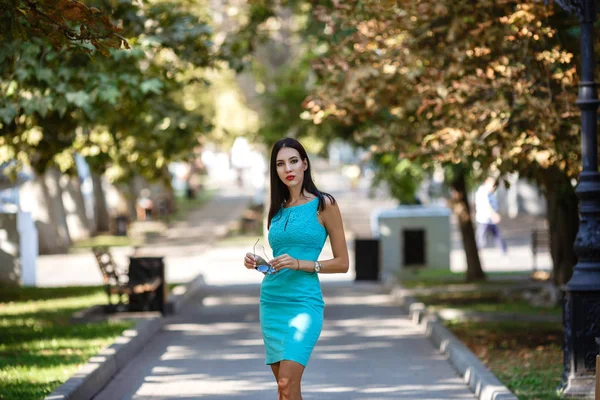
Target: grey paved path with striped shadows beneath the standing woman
[{"x": 368, "y": 350}]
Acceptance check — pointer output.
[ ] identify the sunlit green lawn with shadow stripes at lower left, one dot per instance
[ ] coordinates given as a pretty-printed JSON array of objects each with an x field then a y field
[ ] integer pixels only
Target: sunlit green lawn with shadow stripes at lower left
[{"x": 40, "y": 348}]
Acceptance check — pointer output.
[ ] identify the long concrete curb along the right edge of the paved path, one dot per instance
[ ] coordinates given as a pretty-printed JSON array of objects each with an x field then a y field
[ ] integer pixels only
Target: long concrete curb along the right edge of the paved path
[{"x": 482, "y": 382}]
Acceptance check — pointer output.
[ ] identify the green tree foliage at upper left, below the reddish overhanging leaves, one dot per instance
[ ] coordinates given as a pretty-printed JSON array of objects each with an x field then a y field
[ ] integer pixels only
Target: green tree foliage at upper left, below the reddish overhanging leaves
[{"x": 125, "y": 113}]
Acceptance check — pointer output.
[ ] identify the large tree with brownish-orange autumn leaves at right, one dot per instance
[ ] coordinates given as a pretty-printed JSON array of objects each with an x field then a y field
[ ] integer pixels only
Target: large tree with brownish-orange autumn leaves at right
[{"x": 455, "y": 83}]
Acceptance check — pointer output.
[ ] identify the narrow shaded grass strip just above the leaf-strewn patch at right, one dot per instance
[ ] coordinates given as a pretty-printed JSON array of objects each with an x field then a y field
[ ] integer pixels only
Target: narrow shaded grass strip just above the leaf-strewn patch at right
[{"x": 484, "y": 301}]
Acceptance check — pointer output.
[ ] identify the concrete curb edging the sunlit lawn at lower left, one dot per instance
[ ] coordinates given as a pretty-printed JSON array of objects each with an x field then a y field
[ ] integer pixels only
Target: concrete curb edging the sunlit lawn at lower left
[{"x": 93, "y": 376}]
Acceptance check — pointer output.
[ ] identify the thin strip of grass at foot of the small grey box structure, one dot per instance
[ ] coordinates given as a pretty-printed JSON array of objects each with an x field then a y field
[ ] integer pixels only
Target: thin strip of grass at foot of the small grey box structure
[{"x": 428, "y": 277}]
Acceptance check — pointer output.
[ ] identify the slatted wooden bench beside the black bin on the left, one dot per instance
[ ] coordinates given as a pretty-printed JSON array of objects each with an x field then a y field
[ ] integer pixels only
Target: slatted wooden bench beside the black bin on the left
[{"x": 116, "y": 281}]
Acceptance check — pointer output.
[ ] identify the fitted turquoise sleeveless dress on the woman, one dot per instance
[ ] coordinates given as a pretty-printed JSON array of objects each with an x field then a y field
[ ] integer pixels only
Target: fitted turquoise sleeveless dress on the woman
[{"x": 291, "y": 302}]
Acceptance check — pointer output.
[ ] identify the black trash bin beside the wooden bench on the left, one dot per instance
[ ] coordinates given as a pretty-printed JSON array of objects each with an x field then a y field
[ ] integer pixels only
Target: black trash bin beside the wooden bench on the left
[{"x": 143, "y": 269}]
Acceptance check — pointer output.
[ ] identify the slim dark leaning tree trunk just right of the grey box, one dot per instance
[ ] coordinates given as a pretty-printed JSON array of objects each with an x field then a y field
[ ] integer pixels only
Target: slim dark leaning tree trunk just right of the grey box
[{"x": 462, "y": 210}]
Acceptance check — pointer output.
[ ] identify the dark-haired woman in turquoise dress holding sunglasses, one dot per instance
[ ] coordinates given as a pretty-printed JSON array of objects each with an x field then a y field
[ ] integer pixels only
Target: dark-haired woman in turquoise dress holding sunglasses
[{"x": 291, "y": 303}]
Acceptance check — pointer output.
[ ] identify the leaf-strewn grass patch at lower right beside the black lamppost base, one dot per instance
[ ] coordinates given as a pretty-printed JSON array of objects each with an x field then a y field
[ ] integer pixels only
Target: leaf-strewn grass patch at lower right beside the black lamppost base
[{"x": 526, "y": 357}]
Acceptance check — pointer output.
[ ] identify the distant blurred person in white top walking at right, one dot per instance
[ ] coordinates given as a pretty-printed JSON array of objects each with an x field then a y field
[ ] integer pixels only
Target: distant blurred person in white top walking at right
[{"x": 487, "y": 216}]
